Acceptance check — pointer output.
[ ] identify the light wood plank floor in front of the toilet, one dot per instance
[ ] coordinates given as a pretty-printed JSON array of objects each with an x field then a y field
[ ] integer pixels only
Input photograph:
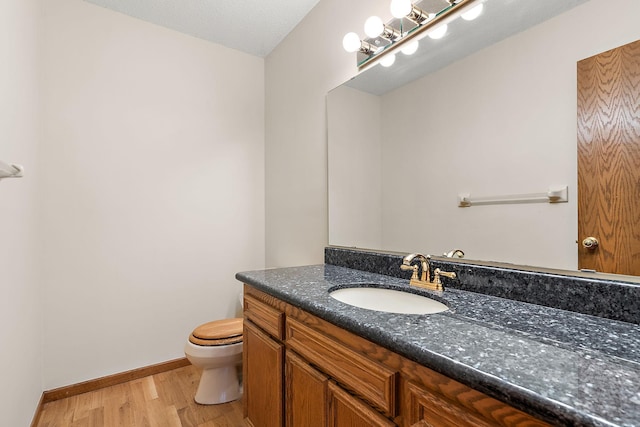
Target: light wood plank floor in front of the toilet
[{"x": 161, "y": 400}]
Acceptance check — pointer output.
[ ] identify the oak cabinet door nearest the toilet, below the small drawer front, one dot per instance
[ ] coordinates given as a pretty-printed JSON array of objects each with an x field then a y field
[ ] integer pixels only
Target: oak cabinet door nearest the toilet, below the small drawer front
[{"x": 263, "y": 366}]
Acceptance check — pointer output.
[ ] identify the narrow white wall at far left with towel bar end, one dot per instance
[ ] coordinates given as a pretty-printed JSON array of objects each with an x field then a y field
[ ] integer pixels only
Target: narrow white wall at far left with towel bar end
[{"x": 20, "y": 300}]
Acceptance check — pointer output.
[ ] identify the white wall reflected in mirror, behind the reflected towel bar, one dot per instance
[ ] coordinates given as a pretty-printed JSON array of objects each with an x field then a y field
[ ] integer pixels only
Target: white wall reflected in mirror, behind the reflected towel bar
[{"x": 502, "y": 121}]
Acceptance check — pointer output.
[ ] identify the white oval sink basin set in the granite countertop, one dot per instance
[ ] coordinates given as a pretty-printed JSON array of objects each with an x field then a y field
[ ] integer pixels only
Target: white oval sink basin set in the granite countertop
[{"x": 388, "y": 300}]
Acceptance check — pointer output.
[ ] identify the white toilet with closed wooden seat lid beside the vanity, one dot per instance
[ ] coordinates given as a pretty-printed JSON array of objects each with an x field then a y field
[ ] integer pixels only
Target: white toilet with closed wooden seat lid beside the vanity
[{"x": 216, "y": 347}]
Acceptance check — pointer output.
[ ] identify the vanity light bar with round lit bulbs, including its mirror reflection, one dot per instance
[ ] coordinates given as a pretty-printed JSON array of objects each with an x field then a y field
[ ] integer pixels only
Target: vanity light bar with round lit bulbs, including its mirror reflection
[{"x": 410, "y": 23}]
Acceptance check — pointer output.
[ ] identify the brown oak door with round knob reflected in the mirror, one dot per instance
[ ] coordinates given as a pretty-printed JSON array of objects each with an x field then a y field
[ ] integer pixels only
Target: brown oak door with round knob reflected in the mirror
[{"x": 609, "y": 161}]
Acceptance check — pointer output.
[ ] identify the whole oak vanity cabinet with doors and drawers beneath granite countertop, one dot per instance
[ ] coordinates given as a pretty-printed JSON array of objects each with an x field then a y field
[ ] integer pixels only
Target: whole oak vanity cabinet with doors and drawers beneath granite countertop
[{"x": 301, "y": 370}]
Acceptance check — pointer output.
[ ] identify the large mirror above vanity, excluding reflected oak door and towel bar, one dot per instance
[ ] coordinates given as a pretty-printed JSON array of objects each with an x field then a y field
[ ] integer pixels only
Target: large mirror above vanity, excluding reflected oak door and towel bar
[{"x": 490, "y": 109}]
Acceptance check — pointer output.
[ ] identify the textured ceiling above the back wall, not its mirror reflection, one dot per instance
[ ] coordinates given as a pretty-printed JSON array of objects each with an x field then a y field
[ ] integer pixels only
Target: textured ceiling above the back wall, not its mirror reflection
[{"x": 252, "y": 26}]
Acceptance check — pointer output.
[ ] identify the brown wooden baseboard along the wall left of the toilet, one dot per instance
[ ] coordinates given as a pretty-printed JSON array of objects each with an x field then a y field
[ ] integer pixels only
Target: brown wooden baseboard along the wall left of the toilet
[{"x": 98, "y": 383}]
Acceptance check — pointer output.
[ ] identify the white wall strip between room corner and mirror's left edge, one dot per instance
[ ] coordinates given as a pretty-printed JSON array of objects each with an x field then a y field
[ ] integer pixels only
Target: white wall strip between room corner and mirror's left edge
[{"x": 307, "y": 64}]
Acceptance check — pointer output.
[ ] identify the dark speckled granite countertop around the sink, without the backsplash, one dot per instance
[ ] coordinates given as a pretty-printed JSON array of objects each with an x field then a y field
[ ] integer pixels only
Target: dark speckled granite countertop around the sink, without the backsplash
[{"x": 564, "y": 367}]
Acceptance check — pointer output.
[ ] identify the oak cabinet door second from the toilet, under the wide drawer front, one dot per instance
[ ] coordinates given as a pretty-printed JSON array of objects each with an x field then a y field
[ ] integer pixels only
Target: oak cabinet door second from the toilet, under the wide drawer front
[{"x": 306, "y": 393}]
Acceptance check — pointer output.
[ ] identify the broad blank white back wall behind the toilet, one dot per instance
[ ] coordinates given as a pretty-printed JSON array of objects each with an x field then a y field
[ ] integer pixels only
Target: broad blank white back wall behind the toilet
[{"x": 152, "y": 188}]
